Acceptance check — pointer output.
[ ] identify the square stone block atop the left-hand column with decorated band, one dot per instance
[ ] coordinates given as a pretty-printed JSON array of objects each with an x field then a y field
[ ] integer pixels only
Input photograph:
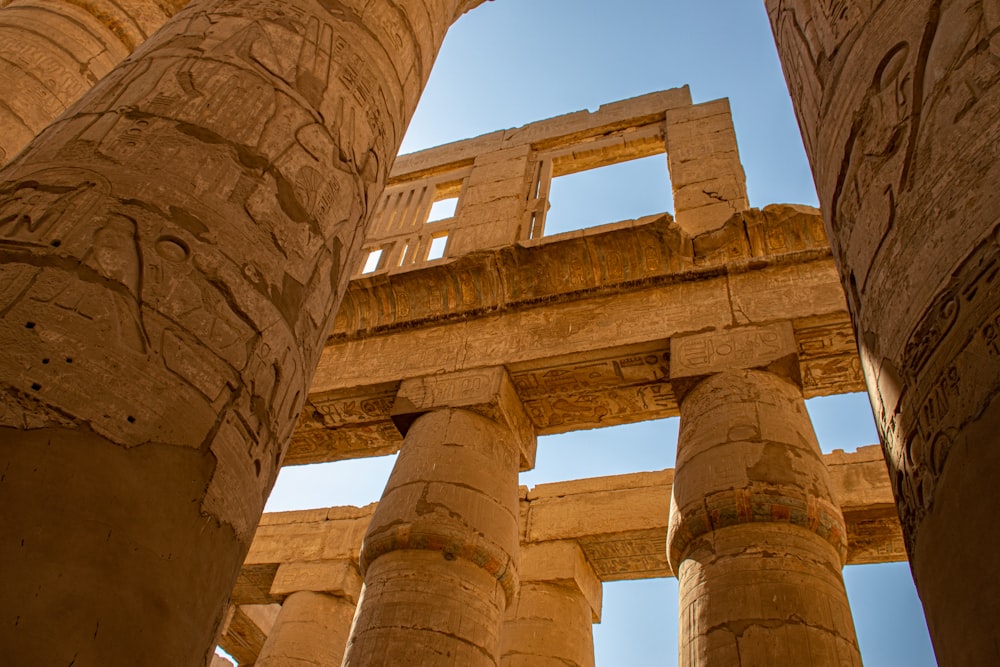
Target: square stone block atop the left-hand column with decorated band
[{"x": 485, "y": 391}]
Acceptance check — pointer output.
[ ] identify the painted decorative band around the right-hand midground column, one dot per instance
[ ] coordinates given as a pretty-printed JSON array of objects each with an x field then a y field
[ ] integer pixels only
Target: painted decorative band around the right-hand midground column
[{"x": 736, "y": 506}]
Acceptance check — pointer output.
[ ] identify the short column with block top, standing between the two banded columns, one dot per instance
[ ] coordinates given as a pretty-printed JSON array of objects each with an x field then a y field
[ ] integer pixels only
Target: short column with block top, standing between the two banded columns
[{"x": 550, "y": 623}]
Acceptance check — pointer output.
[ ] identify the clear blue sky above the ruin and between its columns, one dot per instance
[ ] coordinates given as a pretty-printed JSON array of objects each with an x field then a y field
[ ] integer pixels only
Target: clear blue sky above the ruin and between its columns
[{"x": 512, "y": 62}]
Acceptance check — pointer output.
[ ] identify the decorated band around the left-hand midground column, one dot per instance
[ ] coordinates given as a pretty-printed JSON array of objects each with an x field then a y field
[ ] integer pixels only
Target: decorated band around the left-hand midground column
[{"x": 452, "y": 545}]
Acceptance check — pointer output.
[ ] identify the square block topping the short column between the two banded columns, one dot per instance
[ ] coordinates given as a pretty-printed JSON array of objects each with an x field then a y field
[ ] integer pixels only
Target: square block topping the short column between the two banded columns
[{"x": 565, "y": 563}]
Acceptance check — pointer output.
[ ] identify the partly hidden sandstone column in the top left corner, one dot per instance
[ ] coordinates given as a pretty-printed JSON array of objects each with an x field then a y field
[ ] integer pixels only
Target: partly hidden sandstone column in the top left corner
[{"x": 53, "y": 51}]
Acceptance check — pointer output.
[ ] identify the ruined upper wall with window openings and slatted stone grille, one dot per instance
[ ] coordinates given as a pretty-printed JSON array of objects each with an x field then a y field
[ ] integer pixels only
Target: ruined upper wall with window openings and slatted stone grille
[{"x": 499, "y": 183}]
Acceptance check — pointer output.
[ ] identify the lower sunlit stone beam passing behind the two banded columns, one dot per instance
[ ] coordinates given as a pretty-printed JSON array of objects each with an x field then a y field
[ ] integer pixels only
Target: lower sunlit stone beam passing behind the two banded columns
[{"x": 620, "y": 522}]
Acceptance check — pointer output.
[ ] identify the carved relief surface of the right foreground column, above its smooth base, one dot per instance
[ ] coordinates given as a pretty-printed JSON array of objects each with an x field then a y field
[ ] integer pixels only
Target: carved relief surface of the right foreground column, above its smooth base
[{"x": 927, "y": 77}]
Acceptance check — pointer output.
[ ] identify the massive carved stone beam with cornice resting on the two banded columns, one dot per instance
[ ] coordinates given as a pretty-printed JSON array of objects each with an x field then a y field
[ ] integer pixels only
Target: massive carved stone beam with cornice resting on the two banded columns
[{"x": 586, "y": 345}]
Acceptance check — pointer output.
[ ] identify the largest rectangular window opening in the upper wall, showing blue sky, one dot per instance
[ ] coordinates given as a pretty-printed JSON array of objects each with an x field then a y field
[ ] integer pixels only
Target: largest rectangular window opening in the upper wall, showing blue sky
[{"x": 621, "y": 191}]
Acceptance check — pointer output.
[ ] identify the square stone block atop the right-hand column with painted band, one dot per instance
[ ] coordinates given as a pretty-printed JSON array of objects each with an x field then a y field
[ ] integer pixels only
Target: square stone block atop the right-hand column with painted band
[{"x": 769, "y": 347}]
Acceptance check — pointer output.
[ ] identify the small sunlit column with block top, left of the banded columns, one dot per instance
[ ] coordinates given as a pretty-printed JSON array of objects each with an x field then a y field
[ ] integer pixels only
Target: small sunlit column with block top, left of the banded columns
[{"x": 315, "y": 618}]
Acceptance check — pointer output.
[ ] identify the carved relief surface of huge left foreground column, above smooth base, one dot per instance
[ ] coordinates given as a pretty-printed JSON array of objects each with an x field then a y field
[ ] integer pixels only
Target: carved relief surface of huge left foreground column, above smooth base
[{"x": 220, "y": 279}]
